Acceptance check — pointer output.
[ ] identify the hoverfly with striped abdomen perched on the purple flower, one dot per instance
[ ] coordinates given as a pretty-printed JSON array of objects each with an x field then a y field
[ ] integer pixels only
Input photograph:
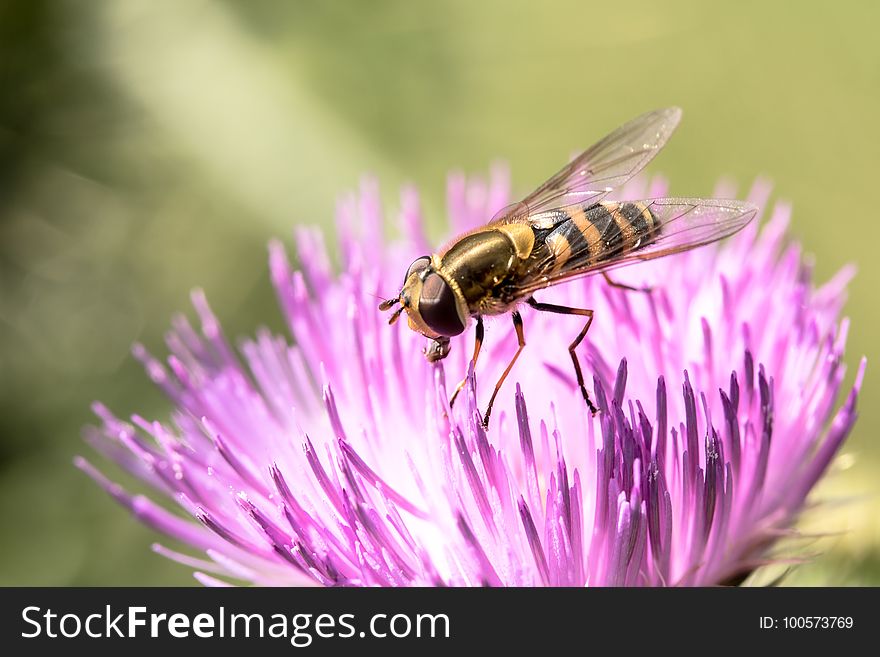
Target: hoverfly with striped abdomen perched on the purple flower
[{"x": 562, "y": 230}]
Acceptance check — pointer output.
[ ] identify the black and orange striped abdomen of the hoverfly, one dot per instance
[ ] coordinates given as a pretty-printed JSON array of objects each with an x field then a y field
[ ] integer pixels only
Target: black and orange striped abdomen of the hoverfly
[{"x": 584, "y": 236}]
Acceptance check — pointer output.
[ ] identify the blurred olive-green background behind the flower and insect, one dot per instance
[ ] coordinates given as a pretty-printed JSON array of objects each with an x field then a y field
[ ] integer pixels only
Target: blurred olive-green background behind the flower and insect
[{"x": 150, "y": 147}]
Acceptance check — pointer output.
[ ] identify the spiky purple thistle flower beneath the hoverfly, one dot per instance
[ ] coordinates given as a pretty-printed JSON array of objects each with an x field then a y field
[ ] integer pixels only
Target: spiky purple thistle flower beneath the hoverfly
[{"x": 336, "y": 459}]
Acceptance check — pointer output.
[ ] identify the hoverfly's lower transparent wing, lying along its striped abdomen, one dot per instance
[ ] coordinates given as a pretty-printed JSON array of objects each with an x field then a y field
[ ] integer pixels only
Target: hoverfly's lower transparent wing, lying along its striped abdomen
[{"x": 681, "y": 224}]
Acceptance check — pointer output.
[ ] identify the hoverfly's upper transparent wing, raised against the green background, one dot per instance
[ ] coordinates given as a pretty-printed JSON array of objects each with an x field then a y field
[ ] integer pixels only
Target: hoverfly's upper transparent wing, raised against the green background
[{"x": 602, "y": 167}]
